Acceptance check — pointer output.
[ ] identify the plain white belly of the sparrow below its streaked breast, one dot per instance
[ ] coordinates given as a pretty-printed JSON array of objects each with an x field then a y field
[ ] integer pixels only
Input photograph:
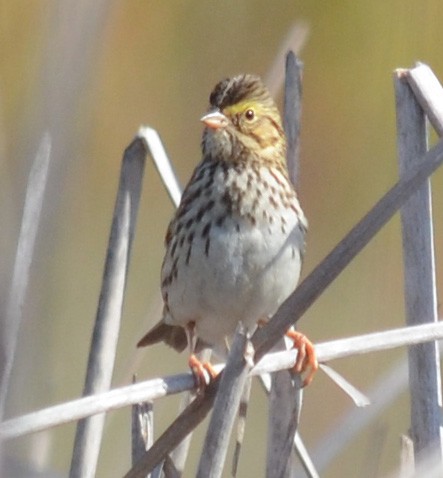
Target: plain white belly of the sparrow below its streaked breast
[{"x": 245, "y": 276}]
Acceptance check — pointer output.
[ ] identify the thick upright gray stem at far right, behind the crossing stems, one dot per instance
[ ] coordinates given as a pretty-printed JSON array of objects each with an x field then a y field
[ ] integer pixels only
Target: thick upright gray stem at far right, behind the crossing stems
[{"x": 419, "y": 266}]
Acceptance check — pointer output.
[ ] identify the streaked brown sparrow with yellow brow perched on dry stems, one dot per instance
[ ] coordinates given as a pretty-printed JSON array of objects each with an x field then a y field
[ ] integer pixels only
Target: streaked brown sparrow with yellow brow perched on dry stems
[{"x": 235, "y": 245}]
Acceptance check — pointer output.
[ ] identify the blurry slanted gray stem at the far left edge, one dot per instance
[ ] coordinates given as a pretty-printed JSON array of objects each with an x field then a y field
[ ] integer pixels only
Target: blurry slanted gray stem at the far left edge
[{"x": 25, "y": 249}]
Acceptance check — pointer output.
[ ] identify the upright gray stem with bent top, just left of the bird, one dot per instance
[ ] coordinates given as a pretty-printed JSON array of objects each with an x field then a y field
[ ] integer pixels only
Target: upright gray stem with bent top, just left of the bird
[{"x": 107, "y": 324}]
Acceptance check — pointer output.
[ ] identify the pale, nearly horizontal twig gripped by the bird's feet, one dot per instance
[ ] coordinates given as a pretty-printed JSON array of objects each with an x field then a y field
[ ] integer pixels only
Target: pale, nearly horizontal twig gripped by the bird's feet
[{"x": 160, "y": 387}]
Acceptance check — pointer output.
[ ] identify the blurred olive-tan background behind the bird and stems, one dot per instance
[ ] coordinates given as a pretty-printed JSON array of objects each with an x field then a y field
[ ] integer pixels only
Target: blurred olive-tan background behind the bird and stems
[{"x": 91, "y": 73}]
